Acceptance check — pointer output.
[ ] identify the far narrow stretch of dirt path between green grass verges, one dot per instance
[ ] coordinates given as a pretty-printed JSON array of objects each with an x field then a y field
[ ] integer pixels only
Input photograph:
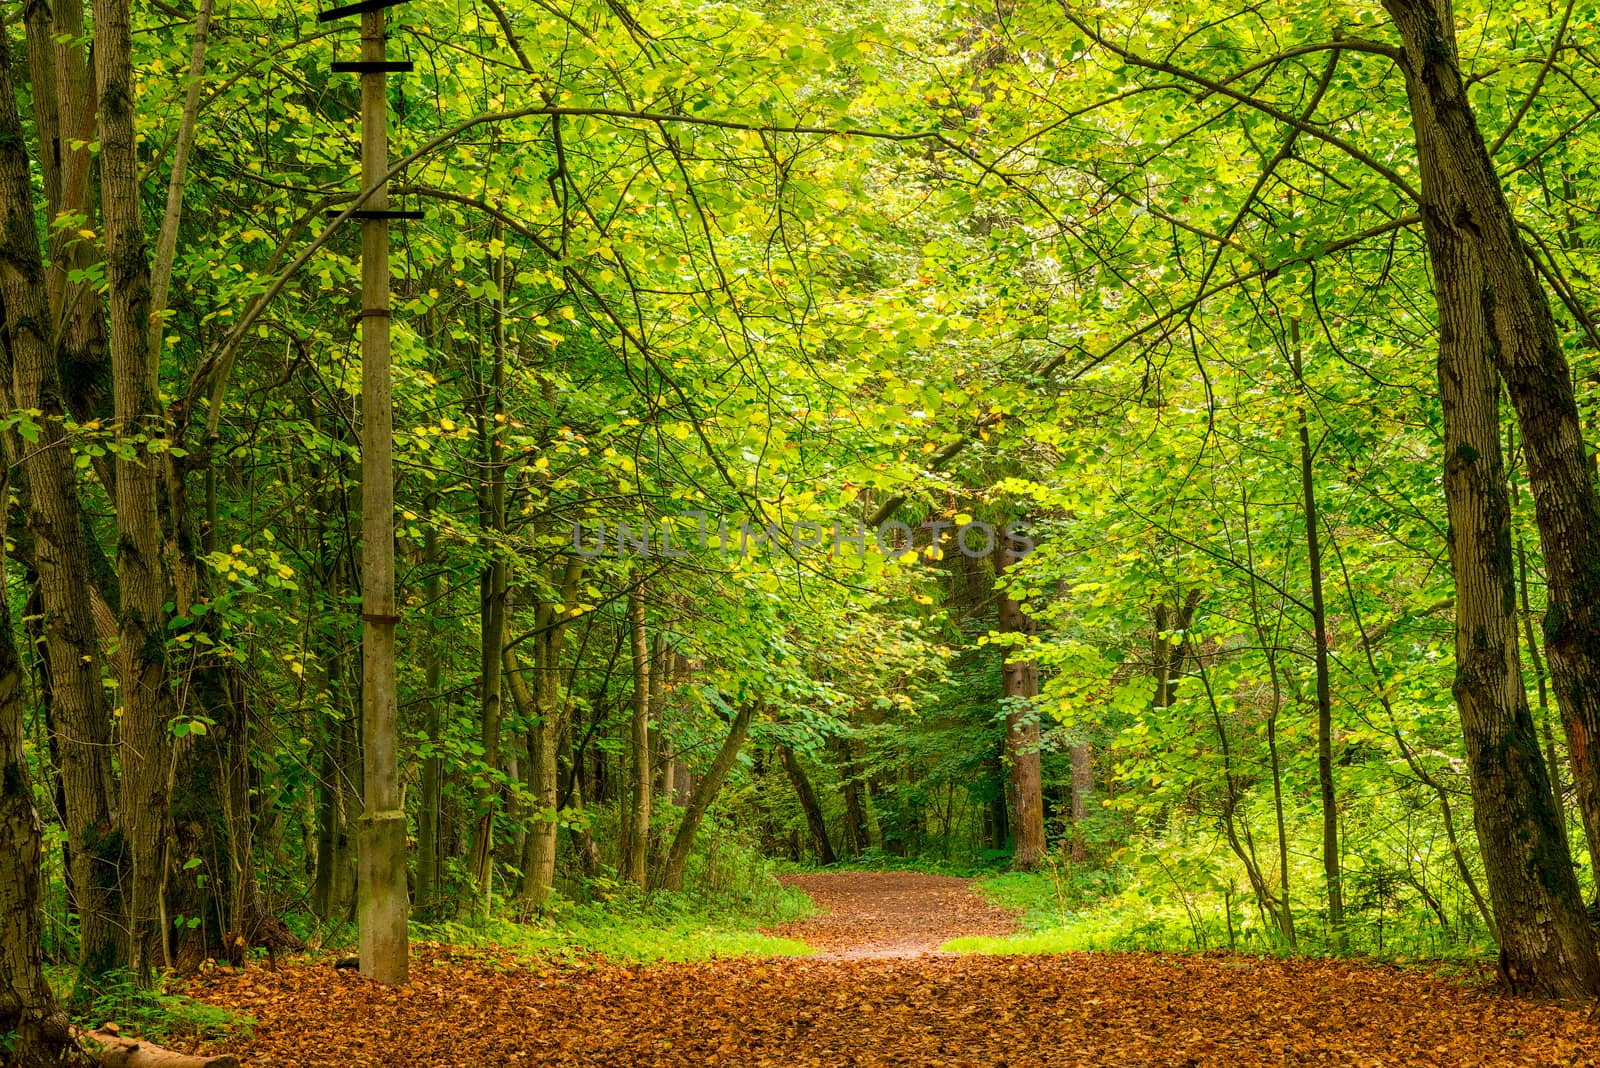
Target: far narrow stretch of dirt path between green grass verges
[{"x": 886, "y": 915}]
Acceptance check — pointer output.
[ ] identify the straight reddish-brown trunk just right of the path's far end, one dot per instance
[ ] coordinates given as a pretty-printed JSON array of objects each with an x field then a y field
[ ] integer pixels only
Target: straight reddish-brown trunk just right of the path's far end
[{"x": 1020, "y": 680}]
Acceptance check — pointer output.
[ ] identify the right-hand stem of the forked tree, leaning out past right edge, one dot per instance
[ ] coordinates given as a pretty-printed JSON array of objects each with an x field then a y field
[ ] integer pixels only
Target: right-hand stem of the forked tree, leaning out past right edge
[{"x": 1486, "y": 274}]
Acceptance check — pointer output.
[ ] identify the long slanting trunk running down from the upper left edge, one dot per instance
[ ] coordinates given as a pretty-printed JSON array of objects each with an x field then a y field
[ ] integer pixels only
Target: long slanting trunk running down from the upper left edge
[{"x": 60, "y": 557}]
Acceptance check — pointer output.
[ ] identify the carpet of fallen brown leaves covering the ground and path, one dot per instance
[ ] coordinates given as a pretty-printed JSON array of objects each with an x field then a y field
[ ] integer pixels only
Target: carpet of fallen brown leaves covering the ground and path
[{"x": 865, "y": 1005}]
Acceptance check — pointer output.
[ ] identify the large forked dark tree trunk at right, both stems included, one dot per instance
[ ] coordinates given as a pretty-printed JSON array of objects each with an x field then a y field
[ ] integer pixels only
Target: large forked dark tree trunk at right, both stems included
[{"x": 1495, "y": 321}]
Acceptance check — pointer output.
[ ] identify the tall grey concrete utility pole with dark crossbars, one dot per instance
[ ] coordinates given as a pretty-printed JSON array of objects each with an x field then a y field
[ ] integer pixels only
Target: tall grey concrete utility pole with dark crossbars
[{"x": 383, "y": 906}]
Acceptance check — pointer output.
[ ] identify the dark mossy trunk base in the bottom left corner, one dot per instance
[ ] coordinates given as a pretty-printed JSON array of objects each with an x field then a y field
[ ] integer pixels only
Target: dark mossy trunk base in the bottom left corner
[{"x": 36, "y": 1029}]
